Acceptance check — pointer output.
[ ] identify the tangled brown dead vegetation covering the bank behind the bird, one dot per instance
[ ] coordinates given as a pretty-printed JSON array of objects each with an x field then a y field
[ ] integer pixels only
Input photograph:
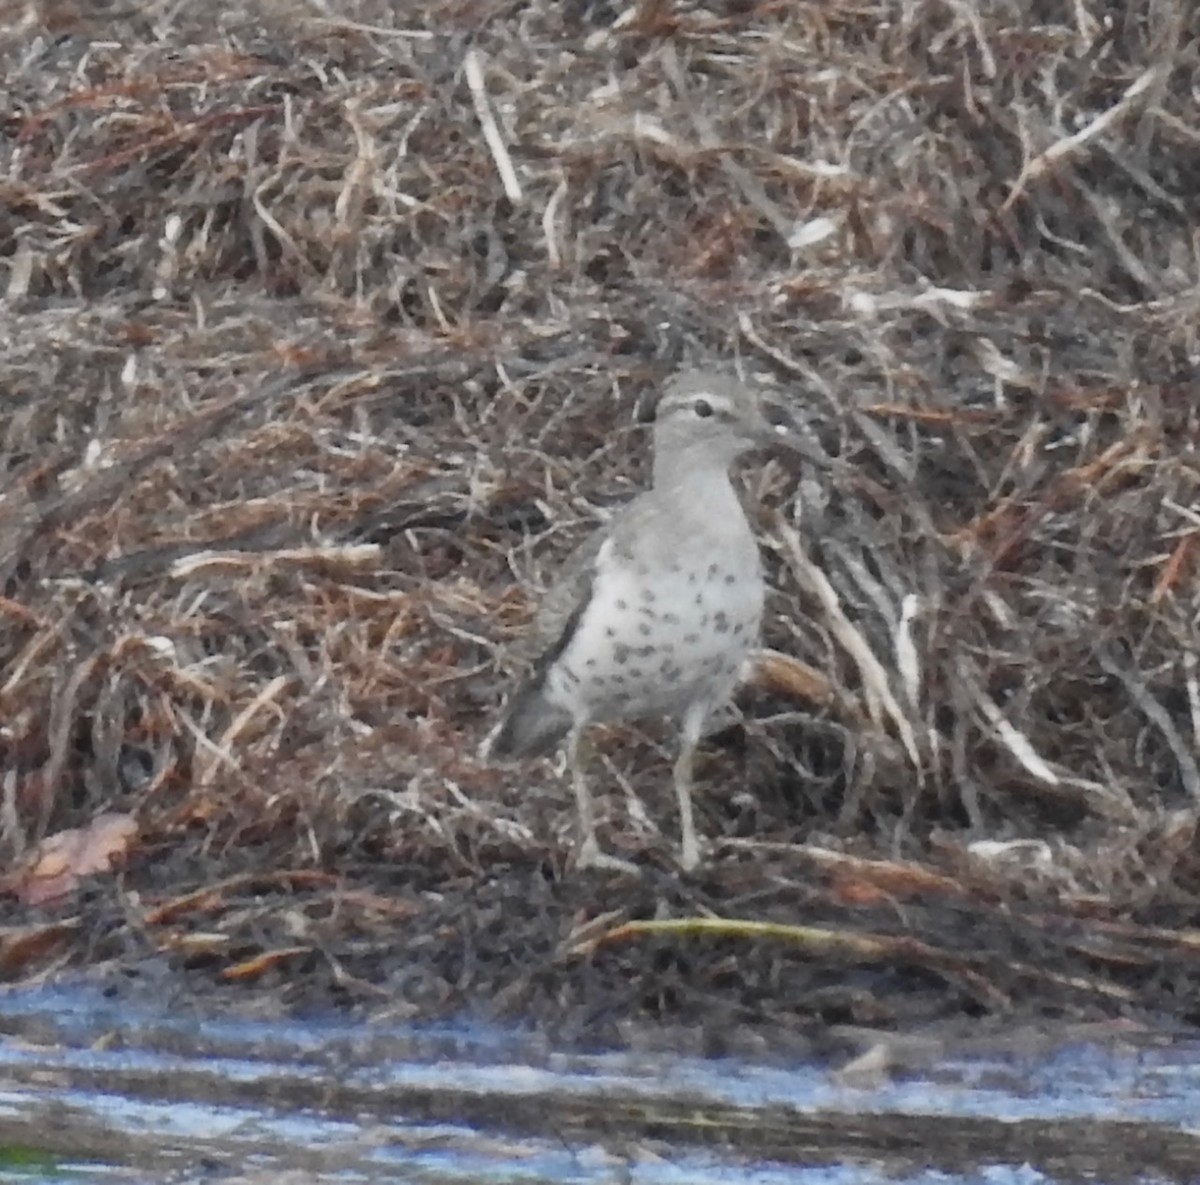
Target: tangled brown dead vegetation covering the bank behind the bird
[{"x": 322, "y": 329}]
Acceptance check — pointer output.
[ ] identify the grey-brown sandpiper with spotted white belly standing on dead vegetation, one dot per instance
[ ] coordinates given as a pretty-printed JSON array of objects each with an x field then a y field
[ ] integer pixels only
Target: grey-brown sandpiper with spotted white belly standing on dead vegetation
[{"x": 656, "y": 613}]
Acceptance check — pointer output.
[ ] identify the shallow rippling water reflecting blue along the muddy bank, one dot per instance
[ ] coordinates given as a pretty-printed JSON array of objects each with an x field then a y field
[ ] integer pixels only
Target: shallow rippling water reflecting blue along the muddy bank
[{"x": 100, "y": 1091}]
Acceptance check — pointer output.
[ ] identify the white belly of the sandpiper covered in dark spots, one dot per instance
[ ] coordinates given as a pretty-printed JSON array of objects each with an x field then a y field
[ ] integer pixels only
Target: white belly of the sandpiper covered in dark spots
[{"x": 656, "y": 642}]
